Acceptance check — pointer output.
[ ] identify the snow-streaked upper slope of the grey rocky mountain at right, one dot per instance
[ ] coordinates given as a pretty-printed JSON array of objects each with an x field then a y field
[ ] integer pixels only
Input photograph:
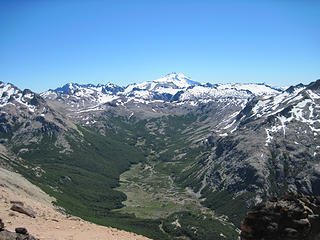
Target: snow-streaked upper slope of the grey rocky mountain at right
[{"x": 291, "y": 112}]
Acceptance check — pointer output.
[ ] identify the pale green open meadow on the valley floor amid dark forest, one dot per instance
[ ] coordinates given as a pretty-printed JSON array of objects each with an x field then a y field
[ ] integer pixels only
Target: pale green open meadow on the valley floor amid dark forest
[{"x": 151, "y": 194}]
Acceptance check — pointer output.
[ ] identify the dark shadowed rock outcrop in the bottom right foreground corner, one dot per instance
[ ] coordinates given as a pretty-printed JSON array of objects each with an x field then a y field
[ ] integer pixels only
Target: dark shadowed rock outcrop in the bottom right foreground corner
[{"x": 290, "y": 217}]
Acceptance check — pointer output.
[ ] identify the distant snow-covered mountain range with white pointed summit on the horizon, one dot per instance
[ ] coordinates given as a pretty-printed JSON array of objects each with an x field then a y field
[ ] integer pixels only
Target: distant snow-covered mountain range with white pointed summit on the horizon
[{"x": 174, "y": 88}]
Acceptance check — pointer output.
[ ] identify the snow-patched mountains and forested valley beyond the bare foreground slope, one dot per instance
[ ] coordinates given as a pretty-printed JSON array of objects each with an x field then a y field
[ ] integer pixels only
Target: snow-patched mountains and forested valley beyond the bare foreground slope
[{"x": 227, "y": 146}]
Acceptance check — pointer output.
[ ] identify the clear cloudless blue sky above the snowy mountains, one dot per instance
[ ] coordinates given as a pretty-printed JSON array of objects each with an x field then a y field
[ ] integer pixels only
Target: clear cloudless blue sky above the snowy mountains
[{"x": 47, "y": 43}]
